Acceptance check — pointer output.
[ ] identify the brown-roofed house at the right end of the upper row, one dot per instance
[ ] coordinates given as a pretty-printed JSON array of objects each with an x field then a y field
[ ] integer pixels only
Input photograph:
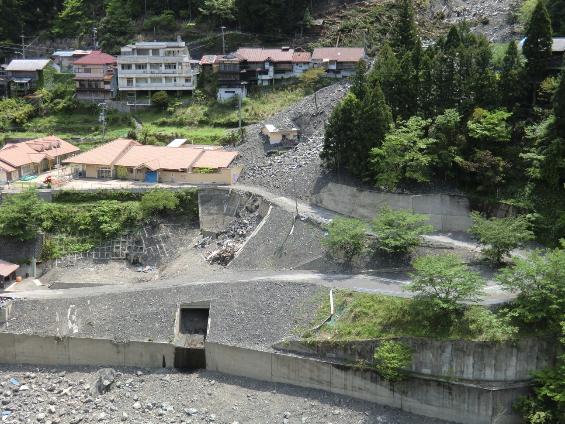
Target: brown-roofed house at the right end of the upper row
[{"x": 339, "y": 62}]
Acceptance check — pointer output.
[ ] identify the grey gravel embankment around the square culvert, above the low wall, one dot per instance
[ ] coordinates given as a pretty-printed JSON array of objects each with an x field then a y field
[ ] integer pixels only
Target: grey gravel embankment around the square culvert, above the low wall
[{"x": 255, "y": 314}]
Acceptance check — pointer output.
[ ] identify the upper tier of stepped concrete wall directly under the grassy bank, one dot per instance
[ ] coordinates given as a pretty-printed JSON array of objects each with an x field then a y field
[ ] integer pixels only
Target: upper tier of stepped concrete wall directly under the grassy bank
[{"x": 473, "y": 361}]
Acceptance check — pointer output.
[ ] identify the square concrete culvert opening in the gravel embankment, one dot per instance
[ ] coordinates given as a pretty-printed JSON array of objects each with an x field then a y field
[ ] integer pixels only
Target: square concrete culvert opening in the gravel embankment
[{"x": 190, "y": 336}]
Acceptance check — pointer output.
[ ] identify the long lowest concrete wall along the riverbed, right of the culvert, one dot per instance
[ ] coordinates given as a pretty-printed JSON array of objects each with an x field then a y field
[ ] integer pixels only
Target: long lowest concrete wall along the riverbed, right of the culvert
[{"x": 453, "y": 401}]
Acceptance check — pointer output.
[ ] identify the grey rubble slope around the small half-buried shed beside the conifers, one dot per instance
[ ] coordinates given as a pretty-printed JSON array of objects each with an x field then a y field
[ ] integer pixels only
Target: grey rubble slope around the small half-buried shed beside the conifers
[{"x": 294, "y": 172}]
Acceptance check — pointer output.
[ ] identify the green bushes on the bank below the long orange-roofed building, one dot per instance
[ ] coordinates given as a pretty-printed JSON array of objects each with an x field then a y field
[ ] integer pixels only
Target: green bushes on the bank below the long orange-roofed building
[{"x": 78, "y": 221}]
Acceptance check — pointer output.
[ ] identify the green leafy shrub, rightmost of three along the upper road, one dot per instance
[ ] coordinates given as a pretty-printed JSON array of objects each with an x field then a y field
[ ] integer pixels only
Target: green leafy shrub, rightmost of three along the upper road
[{"x": 499, "y": 236}]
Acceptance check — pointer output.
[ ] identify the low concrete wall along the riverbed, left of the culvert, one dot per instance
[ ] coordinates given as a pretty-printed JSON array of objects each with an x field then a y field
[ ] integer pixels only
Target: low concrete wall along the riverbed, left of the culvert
[{"x": 74, "y": 351}]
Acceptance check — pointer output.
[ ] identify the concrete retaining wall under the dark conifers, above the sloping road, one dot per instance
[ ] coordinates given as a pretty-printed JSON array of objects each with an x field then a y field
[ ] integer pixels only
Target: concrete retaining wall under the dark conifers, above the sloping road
[{"x": 445, "y": 212}]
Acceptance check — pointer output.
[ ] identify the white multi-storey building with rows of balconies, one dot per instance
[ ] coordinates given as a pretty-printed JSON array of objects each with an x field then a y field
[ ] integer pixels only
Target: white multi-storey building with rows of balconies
[{"x": 147, "y": 67}]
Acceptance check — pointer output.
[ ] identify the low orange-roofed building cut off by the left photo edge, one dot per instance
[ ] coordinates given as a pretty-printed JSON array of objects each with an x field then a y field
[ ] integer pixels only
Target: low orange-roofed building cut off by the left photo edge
[{"x": 31, "y": 157}]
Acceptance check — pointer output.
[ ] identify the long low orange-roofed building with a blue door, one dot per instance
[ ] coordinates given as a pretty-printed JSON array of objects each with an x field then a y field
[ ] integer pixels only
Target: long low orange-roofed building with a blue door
[{"x": 128, "y": 159}]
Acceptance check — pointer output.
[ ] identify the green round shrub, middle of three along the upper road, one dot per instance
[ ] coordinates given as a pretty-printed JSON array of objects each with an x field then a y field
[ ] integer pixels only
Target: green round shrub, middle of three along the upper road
[{"x": 399, "y": 231}]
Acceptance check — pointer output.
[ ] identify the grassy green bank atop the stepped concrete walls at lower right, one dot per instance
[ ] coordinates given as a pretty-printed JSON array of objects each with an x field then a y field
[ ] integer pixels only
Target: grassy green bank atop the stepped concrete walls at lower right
[{"x": 365, "y": 316}]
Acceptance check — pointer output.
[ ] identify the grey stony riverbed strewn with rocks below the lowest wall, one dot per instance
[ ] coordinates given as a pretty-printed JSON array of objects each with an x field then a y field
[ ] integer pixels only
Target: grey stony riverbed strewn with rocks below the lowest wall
[{"x": 167, "y": 396}]
